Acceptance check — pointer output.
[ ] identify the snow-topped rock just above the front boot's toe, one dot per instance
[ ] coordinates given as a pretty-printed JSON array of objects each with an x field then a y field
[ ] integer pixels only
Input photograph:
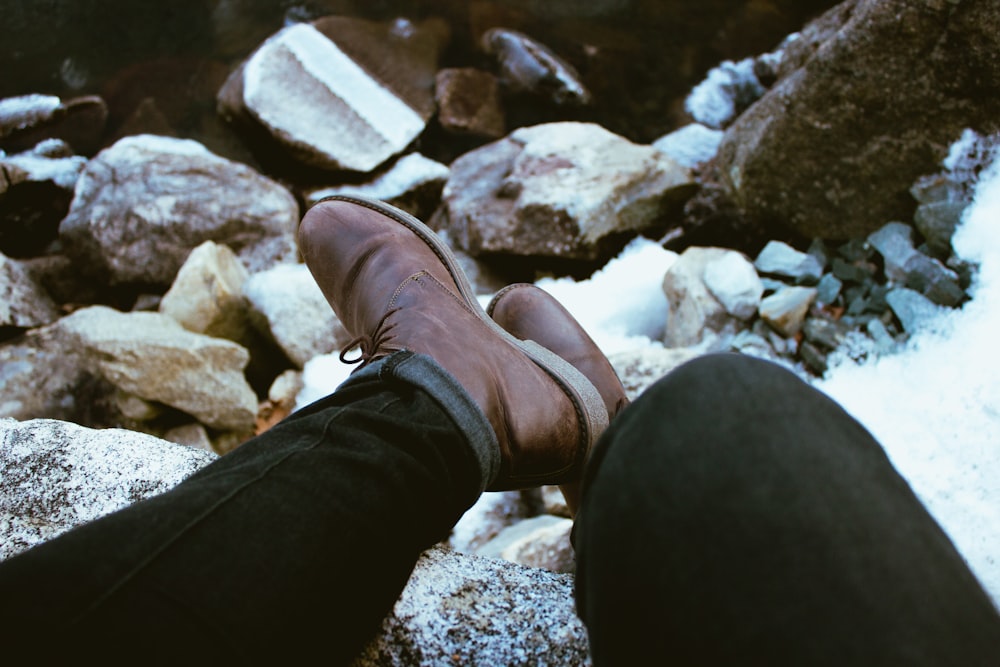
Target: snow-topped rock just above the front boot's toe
[{"x": 413, "y": 183}]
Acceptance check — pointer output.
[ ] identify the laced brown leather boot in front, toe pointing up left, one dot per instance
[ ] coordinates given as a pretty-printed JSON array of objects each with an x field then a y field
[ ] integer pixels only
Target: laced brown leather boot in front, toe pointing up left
[{"x": 396, "y": 286}]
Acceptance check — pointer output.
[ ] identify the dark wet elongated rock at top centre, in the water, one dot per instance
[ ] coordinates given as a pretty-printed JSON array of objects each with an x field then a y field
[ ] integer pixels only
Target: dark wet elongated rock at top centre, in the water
[{"x": 528, "y": 66}]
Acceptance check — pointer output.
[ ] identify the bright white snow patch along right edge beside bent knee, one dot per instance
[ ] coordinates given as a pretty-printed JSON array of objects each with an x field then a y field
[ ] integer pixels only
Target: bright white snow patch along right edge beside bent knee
[{"x": 935, "y": 405}]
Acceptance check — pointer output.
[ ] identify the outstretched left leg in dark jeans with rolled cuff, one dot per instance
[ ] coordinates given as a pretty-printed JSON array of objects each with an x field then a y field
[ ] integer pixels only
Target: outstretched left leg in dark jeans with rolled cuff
[{"x": 295, "y": 544}]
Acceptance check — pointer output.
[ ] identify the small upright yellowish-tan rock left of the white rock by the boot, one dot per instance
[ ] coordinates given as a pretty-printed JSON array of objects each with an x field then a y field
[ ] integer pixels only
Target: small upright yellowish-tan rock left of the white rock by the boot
[{"x": 207, "y": 294}]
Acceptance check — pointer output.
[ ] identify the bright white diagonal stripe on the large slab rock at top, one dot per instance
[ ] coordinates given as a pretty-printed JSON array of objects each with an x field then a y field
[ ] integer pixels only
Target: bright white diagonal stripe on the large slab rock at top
[{"x": 382, "y": 110}]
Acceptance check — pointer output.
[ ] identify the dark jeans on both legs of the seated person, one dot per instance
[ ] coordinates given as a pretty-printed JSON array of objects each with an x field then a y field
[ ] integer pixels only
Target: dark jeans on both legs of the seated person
[{"x": 732, "y": 514}]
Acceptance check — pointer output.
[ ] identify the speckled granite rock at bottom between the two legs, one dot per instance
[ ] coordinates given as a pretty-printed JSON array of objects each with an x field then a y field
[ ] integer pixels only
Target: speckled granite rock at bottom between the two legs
[{"x": 461, "y": 609}]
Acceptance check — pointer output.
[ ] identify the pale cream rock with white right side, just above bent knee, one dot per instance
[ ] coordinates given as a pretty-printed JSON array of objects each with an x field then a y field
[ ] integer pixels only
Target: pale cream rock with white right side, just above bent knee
[{"x": 695, "y": 315}]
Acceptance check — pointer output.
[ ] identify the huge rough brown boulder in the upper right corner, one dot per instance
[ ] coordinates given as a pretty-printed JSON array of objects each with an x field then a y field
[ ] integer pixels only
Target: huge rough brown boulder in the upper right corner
[{"x": 880, "y": 91}]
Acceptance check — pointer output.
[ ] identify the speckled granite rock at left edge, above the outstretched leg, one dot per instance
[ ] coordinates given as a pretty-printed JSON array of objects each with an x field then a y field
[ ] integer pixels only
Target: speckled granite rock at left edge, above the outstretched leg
[{"x": 55, "y": 476}]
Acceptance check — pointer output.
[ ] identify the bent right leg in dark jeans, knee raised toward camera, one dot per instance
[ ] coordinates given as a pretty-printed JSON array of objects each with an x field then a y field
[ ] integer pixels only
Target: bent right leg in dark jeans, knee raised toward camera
[{"x": 735, "y": 515}]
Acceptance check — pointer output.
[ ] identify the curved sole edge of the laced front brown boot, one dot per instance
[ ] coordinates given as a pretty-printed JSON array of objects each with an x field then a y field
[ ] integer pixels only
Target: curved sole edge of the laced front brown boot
[{"x": 590, "y": 408}]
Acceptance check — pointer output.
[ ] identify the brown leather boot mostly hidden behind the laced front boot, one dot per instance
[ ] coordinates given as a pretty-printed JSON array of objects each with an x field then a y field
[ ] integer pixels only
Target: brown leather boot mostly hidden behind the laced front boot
[{"x": 530, "y": 313}]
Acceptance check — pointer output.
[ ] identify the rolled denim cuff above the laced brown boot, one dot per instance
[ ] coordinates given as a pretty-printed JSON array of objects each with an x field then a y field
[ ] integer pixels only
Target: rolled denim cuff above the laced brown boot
[{"x": 422, "y": 372}]
